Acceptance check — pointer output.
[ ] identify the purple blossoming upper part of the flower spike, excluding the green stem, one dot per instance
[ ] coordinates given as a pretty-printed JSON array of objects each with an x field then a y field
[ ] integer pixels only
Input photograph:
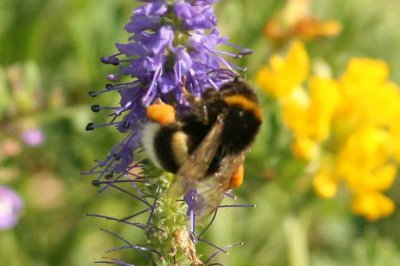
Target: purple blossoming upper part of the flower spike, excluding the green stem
[{"x": 173, "y": 44}]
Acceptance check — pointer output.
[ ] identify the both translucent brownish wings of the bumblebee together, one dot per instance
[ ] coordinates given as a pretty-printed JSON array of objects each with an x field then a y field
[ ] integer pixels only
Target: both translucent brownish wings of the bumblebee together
[{"x": 191, "y": 175}]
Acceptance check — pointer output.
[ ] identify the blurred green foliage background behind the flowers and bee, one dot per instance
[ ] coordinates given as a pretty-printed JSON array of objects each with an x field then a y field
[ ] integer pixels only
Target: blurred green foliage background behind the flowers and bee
[{"x": 49, "y": 60}]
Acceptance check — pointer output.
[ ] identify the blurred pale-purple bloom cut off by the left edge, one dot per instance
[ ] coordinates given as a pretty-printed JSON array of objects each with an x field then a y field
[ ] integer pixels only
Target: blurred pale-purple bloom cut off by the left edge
[{"x": 10, "y": 207}]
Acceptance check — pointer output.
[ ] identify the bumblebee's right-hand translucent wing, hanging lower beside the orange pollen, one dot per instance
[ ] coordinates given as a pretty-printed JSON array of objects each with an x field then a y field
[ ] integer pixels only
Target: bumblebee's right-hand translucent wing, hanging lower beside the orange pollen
[{"x": 211, "y": 190}]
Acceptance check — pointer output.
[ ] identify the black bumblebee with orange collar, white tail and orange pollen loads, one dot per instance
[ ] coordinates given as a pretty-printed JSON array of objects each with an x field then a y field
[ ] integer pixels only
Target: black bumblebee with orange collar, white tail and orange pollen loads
[{"x": 205, "y": 146}]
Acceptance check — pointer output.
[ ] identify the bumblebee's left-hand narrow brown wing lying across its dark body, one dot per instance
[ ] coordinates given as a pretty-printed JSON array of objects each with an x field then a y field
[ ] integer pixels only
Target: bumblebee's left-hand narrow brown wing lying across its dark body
[{"x": 195, "y": 167}]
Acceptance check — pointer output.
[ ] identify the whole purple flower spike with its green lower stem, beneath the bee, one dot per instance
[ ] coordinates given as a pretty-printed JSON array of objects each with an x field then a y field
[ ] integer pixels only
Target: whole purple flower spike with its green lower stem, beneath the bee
[{"x": 174, "y": 49}]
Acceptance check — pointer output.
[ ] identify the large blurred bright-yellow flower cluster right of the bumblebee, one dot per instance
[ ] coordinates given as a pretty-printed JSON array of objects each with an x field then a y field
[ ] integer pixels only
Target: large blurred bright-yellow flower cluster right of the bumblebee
[{"x": 349, "y": 127}]
